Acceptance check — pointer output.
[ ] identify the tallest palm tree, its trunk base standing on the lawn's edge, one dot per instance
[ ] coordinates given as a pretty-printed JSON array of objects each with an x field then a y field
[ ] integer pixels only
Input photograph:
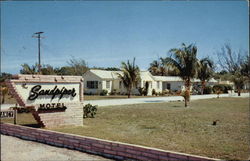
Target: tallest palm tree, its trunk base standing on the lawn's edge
[{"x": 185, "y": 63}]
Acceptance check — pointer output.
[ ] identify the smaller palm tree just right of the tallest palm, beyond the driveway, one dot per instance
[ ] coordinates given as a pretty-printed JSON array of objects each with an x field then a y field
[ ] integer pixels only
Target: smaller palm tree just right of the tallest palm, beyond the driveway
[{"x": 205, "y": 72}]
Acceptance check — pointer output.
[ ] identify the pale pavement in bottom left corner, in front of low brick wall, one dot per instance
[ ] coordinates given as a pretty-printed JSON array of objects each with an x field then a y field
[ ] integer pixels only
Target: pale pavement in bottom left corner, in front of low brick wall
[{"x": 15, "y": 149}]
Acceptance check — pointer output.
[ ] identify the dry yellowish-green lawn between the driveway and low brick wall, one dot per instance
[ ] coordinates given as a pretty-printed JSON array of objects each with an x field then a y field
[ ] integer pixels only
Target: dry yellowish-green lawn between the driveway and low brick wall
[{"x": 170, "y": 126}]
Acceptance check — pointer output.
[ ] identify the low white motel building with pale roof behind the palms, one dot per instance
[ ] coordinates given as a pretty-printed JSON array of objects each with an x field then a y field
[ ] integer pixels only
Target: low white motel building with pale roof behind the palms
[{"x": 96, "y": 80}]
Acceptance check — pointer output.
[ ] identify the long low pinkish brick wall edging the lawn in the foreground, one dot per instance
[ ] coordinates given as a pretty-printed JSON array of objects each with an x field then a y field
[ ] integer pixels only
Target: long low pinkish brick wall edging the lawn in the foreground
[{"x": 109, "y": 149}]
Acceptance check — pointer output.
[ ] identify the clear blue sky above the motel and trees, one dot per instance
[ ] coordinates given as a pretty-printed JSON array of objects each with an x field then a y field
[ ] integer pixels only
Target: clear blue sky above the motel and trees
[{"x": 105, "y": 33}]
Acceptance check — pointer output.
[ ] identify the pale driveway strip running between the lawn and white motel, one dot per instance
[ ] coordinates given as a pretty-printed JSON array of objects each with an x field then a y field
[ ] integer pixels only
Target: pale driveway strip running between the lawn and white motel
[{"x": 112, "y": 102}]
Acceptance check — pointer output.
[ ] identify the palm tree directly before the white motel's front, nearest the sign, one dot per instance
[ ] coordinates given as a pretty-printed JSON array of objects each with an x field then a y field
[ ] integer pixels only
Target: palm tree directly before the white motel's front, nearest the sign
[{"x": 130, "y": 75}]
